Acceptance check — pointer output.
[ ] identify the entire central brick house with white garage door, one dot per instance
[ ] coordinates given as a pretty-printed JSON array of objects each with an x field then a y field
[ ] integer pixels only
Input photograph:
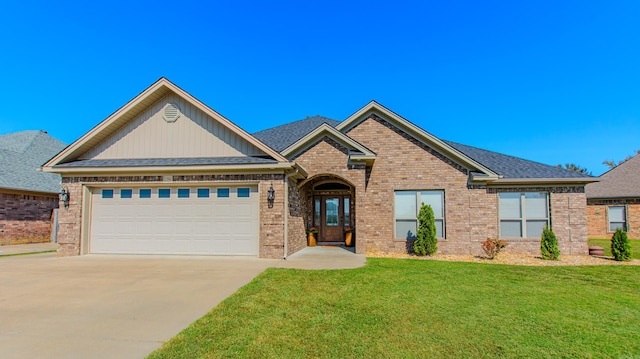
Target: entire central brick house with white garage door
[{"x": 165, "y": 174}]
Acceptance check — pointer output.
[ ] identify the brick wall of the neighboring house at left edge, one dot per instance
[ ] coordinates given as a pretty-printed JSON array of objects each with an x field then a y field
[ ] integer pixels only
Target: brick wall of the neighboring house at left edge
[{"x": 26, "y": 218}]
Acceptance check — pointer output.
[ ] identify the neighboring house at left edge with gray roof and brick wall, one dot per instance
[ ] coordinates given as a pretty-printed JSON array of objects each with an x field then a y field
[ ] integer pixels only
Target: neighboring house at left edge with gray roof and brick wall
[{"x": 27, "y": 196}]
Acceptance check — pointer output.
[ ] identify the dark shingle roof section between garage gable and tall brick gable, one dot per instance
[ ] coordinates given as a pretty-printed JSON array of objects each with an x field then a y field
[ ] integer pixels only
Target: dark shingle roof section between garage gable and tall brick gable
[{"x": 283, "y": 136}]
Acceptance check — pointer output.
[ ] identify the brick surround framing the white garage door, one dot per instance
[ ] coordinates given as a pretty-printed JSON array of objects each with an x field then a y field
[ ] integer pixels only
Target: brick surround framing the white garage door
[{"x": 271, "y": 219}]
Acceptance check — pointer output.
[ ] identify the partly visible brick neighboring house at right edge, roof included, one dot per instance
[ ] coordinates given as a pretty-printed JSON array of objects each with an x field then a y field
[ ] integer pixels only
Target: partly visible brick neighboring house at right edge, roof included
[{"x": 614, "y": 202}]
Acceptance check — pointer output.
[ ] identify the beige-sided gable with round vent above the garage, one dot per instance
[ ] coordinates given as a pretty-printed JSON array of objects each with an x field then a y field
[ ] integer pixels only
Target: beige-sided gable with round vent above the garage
[{"x": 142, "y": 118}]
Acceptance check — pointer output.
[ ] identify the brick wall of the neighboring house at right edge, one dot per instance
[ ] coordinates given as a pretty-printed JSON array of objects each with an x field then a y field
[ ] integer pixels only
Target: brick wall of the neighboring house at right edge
[{"x": 597, "y": 220}]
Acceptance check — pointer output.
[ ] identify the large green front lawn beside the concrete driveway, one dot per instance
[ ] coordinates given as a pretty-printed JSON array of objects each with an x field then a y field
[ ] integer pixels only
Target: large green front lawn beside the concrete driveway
[{"x": 394, "y": 308}]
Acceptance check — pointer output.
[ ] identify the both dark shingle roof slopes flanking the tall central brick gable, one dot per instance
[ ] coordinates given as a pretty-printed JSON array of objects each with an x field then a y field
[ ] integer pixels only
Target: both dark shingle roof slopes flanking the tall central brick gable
[{"x": 283, "y": 136}]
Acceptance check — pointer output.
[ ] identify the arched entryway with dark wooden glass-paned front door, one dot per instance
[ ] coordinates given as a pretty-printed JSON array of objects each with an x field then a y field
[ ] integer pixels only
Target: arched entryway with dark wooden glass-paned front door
[{"x": 332, "y": 208}]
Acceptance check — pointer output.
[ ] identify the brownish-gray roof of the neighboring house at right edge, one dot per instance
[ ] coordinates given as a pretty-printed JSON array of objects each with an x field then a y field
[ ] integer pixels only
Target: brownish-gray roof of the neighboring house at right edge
[{"x": 623, "y": 181}]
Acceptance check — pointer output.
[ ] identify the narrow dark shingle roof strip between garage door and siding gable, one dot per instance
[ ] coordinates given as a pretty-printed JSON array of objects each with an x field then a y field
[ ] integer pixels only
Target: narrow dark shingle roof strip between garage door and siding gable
[{"x": 148, "y": 162}]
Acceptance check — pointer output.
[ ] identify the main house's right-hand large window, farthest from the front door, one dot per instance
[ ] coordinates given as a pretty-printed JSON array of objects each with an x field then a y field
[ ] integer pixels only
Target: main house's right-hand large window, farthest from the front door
[{"x": 523, "y": 215}]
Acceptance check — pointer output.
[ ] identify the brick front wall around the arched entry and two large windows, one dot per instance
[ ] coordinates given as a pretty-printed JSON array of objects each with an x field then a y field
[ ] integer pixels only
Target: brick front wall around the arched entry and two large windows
[{"x": 403, "y": 163}]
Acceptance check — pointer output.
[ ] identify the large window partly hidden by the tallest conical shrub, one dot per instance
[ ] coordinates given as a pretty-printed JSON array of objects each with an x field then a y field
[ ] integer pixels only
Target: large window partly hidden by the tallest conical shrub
[{"x": 407, "y": 206}]
